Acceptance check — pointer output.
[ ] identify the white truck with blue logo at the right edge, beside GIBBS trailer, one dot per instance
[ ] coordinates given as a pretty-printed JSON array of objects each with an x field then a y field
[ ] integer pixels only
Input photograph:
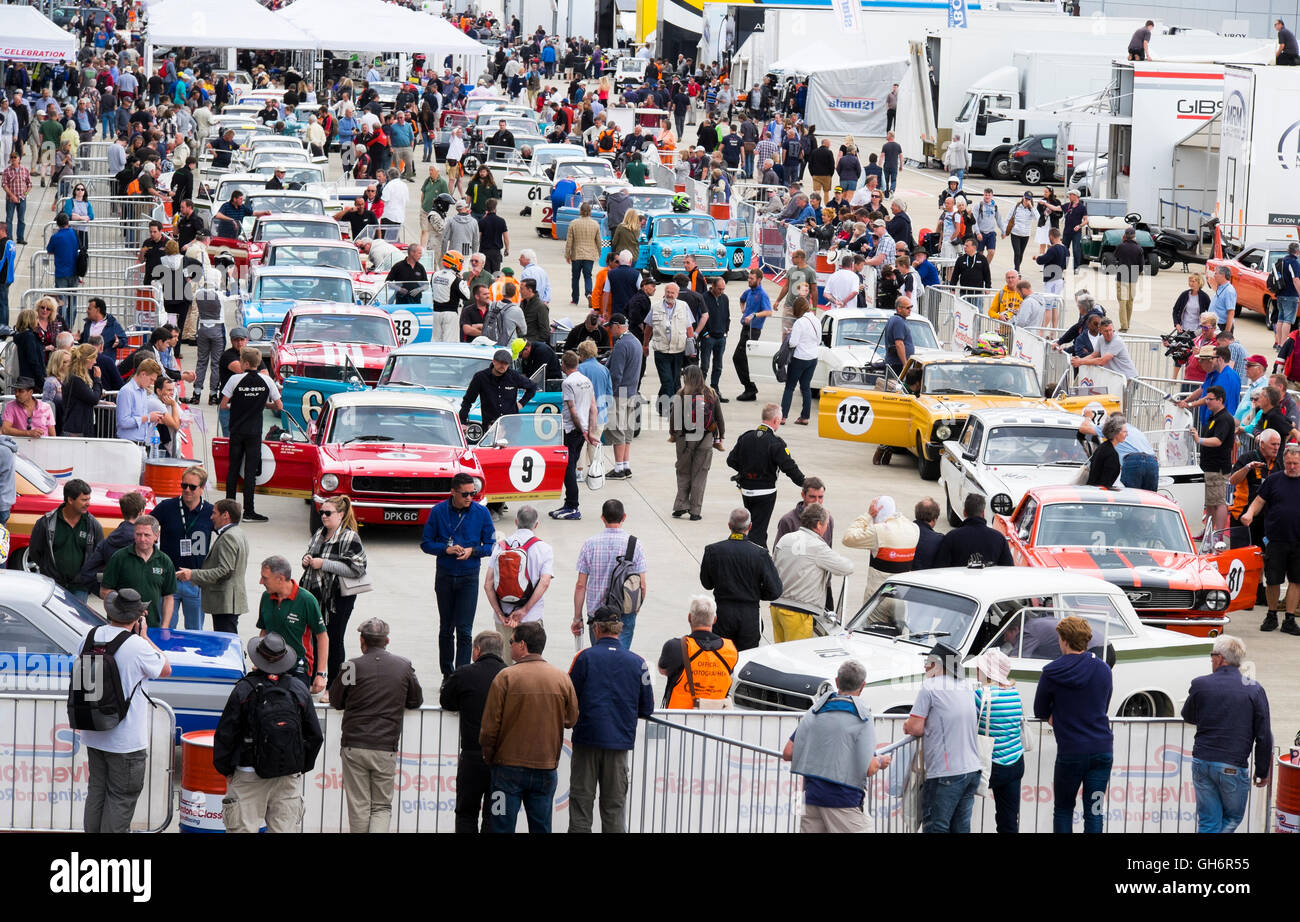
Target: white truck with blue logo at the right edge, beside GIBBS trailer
[{"x": 1260, "y": 151}]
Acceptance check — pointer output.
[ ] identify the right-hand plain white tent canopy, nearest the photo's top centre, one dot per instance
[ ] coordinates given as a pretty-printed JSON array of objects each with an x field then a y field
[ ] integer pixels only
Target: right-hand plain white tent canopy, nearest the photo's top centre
[{"x": 376, "y": 27}]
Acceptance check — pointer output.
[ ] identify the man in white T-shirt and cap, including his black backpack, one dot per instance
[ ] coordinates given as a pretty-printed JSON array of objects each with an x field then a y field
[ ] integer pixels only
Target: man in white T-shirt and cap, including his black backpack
[{"x": 114, "y": 664}]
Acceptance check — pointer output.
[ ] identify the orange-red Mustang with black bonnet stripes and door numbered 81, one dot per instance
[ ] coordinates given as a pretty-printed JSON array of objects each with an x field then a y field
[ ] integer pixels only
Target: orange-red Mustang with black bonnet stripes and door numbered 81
[{"x": 1139, "y": 542}]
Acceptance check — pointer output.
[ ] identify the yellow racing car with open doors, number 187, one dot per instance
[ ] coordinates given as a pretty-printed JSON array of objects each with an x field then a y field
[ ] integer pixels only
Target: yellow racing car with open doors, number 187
[{"x": 933, "y": 400}]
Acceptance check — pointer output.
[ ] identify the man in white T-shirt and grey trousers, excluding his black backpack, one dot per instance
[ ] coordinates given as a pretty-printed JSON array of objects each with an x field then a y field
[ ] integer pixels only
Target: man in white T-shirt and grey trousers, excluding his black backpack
[{"x": 119, "y": 756}]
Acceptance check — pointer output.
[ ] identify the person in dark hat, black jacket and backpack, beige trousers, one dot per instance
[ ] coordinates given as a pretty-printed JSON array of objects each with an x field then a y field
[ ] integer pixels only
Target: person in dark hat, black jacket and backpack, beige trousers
[{"x": 267, "y": 738}]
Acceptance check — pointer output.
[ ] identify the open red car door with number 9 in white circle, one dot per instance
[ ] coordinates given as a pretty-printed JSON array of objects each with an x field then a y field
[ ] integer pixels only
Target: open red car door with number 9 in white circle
[{"x": 523, "y": 457}]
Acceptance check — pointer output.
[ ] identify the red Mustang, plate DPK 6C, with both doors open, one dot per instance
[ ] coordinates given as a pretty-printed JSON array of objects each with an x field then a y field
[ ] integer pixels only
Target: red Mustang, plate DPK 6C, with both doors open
[{"x": 395, "y": 456}]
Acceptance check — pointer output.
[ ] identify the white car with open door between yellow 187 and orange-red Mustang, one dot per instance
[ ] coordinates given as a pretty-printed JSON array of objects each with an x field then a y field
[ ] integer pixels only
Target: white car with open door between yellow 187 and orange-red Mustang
[{"x": 1004, "y": 453}]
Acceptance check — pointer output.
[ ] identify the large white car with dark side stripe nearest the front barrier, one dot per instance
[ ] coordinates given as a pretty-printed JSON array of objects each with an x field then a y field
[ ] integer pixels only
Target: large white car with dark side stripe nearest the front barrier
[{"x": 1015, "y": 609}]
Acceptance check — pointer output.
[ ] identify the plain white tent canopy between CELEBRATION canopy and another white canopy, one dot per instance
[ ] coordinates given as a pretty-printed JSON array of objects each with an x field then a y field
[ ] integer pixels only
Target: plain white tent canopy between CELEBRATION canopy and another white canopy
[{"x": 223, "y": 24}]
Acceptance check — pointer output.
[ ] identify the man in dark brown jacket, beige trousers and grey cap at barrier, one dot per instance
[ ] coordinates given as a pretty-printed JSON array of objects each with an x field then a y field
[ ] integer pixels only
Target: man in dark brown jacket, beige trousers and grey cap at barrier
[{"x": 374, "y": 692}]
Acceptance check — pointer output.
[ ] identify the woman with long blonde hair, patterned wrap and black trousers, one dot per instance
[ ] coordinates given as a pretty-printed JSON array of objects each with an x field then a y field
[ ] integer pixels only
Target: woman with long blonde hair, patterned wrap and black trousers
[{"x": 333, "y": 553}]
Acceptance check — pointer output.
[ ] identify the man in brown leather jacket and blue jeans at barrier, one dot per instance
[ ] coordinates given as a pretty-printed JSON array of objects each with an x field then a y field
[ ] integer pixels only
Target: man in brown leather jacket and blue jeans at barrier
[{"x": 530, "y": 705}]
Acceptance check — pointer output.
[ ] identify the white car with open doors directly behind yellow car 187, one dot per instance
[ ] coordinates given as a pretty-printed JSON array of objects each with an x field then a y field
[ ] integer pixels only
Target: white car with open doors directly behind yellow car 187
[{"x": 852, "y": 339}]
